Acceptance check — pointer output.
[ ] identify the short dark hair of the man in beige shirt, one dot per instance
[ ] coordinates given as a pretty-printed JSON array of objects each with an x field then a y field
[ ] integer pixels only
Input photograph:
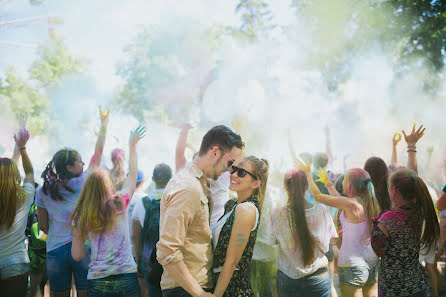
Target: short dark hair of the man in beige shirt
[{"x": 220, "y": 136}]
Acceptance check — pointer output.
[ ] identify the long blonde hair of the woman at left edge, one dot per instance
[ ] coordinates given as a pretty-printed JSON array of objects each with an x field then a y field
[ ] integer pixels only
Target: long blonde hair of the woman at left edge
[{"x": 12, "y": 195}]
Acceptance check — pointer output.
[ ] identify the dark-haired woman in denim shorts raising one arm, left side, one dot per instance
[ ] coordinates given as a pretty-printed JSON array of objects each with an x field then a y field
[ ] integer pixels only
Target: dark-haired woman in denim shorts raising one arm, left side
[{"x": 63, "y": 180}]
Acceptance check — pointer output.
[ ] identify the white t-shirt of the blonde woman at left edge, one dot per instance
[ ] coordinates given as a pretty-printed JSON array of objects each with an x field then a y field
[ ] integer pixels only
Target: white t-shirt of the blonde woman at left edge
[{"x": 12, "y": 241}]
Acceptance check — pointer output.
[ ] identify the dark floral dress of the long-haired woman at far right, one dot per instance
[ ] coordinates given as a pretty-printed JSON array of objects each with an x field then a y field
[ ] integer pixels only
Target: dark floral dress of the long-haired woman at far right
[{"x": 401, "y": 273}]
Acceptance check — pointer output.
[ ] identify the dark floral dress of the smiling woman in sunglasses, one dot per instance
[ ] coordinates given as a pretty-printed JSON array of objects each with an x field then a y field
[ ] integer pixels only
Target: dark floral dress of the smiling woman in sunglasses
[{"x": 239, "y": 285}]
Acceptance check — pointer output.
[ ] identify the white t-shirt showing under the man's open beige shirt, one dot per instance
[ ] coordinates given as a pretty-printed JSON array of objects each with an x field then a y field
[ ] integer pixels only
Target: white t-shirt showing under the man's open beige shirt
[{"x": 220, "y": 195}]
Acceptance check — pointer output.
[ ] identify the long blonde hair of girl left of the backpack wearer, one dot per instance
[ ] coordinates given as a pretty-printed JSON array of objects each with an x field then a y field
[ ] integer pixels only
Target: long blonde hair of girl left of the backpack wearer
[{"x": 97, "y": 206}]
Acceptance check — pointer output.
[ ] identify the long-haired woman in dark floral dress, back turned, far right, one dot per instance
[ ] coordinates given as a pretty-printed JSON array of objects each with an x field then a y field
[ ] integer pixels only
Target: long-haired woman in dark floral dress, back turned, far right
[{"x": 398, "y": 234}]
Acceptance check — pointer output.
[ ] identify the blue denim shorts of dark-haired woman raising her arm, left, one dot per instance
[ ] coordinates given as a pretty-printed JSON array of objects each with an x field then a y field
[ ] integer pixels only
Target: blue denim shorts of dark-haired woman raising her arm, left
[{"x": 61, "y": 266}]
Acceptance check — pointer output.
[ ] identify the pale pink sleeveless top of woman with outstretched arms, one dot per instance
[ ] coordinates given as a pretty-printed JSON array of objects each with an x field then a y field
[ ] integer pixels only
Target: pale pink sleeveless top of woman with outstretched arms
[{"x": 355, "y": 238}]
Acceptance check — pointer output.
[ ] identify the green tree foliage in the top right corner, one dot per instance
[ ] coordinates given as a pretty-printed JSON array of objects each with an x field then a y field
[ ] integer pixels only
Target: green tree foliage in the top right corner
[{"x": 414, "y": 31}]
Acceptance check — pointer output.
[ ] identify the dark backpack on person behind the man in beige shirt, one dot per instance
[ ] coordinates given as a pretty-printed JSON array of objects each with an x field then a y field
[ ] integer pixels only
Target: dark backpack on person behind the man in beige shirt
[{"x": 149, "y": 238}]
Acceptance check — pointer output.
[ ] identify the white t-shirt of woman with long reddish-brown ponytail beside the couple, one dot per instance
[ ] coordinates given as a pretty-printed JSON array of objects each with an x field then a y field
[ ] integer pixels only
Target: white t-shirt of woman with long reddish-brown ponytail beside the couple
[{"x": 289, "y": 258}]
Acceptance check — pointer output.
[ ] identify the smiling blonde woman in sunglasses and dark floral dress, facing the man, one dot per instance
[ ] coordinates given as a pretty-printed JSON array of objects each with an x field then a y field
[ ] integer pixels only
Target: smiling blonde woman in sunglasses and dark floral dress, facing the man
[{"x": 235, "y": 233}]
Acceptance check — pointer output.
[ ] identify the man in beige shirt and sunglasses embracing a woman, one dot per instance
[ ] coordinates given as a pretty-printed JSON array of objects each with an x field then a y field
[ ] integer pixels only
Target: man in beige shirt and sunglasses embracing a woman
[{"x": 185, "y": 249}]
